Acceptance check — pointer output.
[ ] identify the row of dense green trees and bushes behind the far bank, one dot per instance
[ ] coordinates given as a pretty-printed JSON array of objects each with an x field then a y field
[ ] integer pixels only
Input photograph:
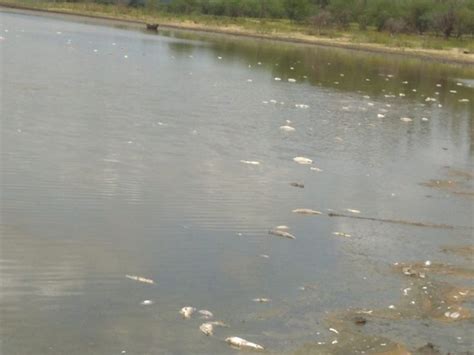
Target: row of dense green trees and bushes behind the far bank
[{"x": 444, "y": 17}]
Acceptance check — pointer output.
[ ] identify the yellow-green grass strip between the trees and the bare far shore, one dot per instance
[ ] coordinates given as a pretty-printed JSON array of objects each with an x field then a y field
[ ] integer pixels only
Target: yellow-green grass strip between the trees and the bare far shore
[{"x": 256, "y": 26}]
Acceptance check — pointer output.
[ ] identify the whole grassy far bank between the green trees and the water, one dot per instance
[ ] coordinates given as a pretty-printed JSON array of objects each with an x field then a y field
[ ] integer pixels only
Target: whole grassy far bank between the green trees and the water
[{"x": 427, "y": 46}]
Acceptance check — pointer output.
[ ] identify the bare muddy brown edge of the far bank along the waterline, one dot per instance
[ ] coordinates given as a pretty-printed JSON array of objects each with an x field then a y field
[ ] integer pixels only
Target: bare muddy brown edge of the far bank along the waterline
[{"x": 426, "y": 54}]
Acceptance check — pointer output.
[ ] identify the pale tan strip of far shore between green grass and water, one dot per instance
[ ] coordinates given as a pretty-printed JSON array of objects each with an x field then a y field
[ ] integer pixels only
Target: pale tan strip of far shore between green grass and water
[{"x": 452, "y": 56}]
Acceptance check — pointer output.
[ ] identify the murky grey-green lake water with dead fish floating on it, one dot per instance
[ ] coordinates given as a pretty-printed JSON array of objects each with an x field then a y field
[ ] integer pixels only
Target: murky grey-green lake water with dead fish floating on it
[{"x": 121, "y": 155}]
